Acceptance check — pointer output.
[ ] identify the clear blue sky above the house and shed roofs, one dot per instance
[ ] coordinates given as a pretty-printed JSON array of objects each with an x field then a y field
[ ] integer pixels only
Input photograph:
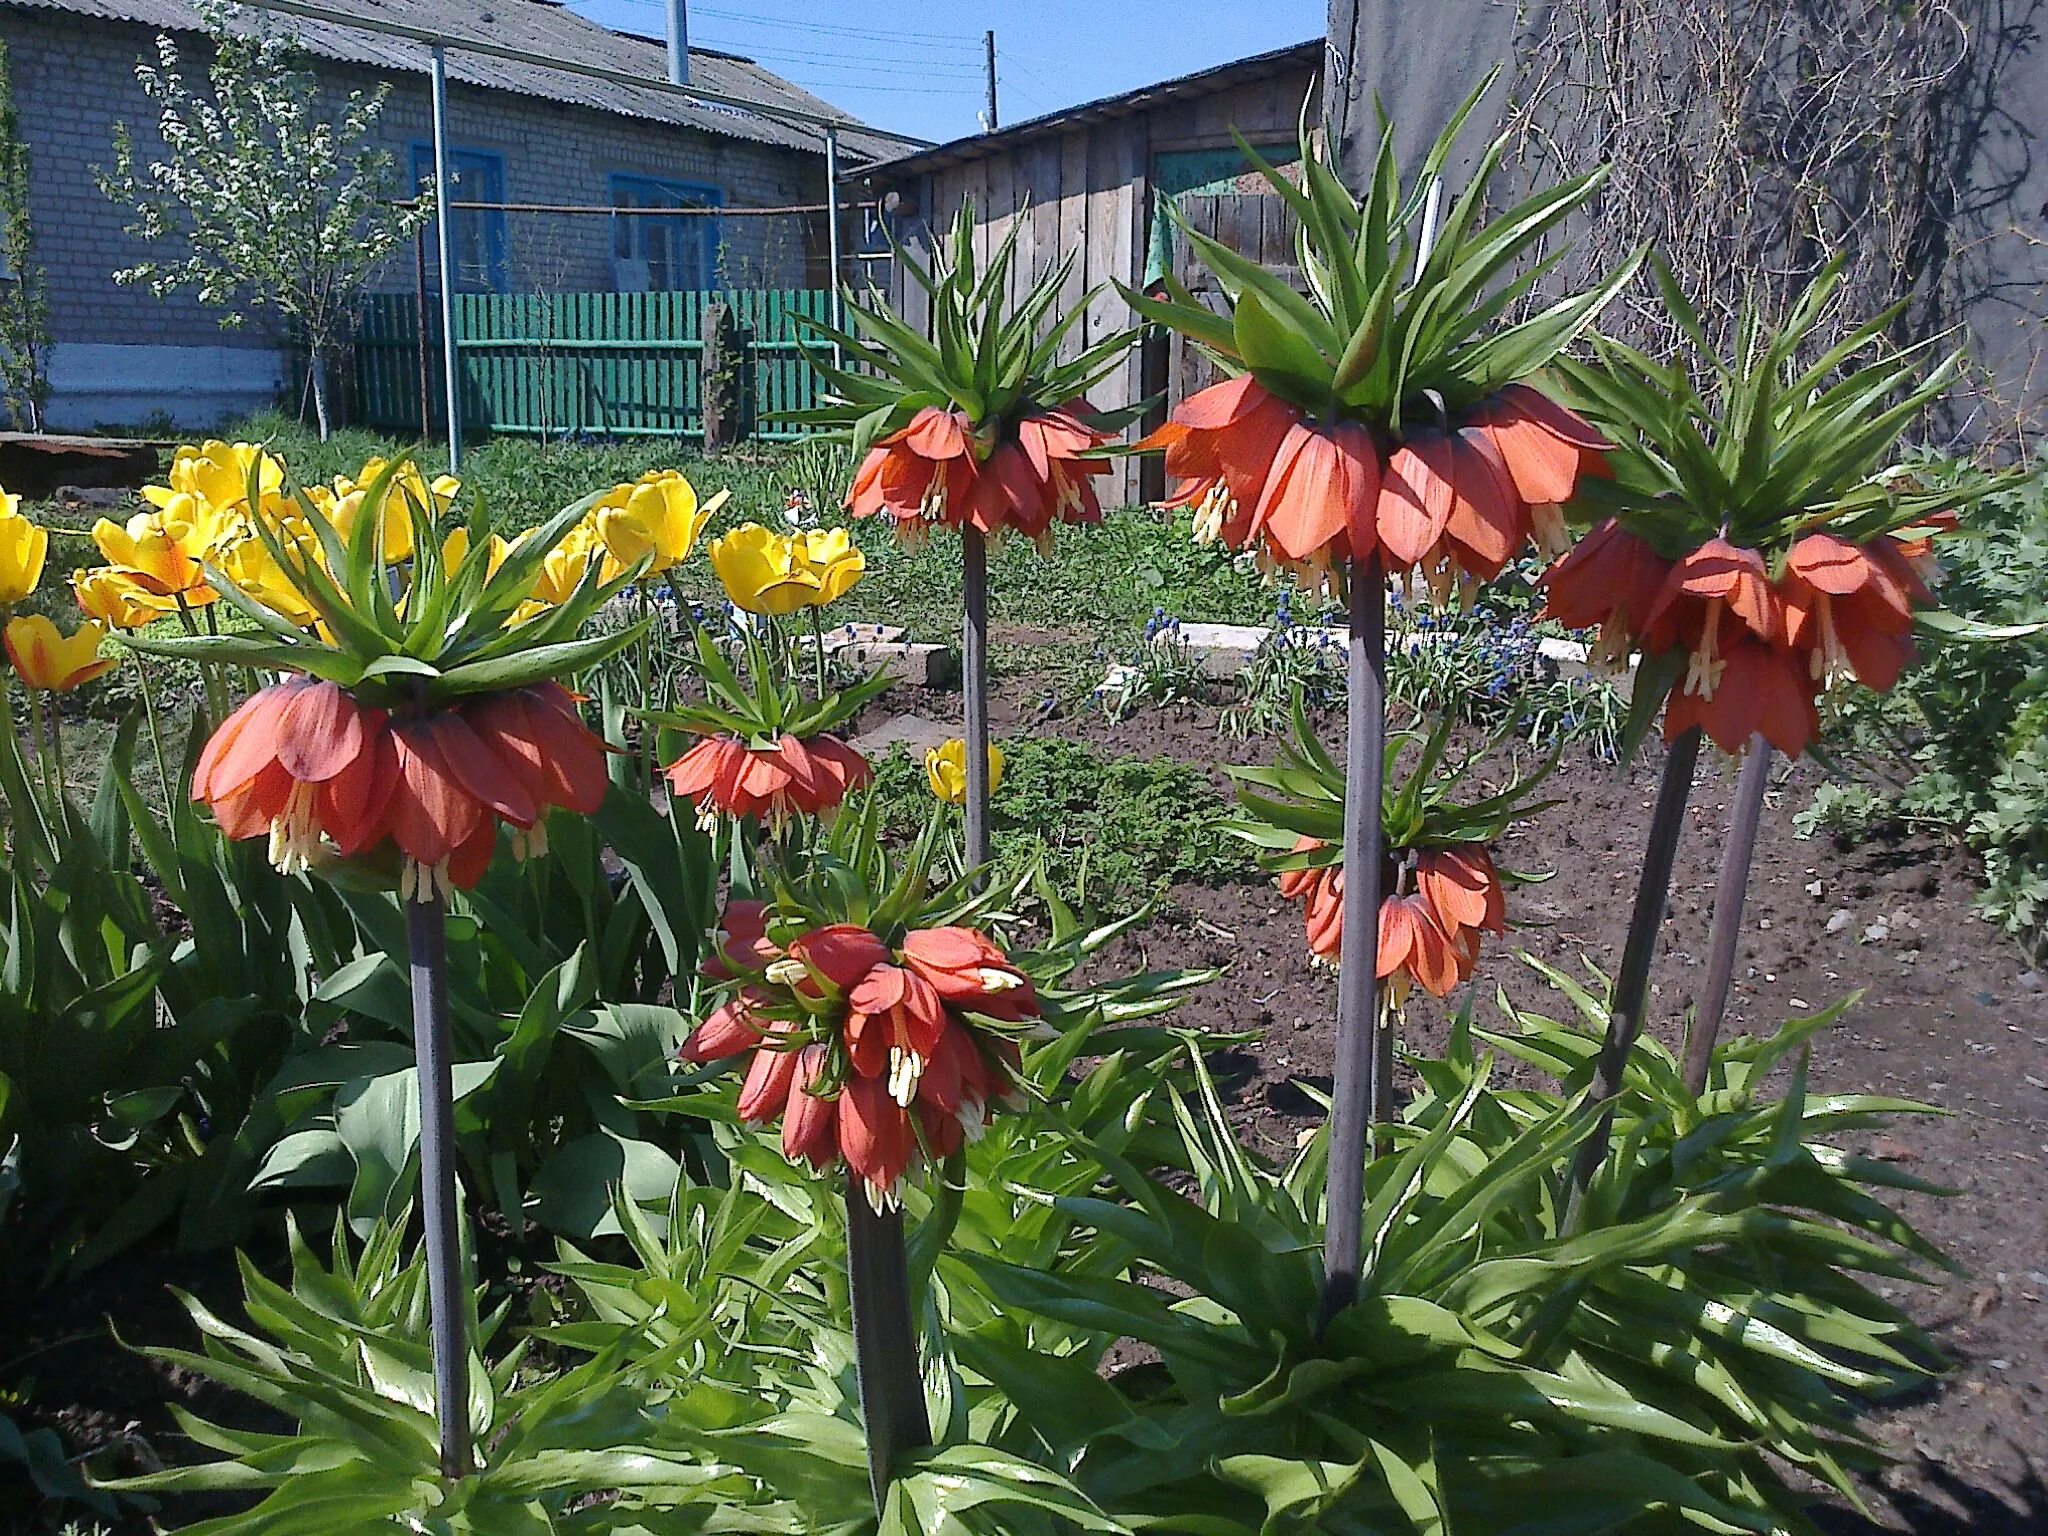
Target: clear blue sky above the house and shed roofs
[{"x": 916, "y": 65}]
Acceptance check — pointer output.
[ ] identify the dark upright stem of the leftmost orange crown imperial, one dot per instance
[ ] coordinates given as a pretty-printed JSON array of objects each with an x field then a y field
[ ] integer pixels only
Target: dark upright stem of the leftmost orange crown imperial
[{"x": 427, "y": 941}]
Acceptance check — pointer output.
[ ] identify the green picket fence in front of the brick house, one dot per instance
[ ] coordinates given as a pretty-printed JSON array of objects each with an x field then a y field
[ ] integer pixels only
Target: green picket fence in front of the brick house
[{"x": 585, "y": 364}]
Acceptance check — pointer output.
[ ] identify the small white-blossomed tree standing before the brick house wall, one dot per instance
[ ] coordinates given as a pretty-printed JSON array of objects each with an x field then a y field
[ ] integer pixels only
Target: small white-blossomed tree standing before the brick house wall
[{"x": 282, "y": 206}]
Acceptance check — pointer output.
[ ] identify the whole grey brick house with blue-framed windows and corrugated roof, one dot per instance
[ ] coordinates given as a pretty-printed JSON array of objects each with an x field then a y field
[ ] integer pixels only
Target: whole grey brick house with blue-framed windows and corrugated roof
[{"x": 519, "y": 134}]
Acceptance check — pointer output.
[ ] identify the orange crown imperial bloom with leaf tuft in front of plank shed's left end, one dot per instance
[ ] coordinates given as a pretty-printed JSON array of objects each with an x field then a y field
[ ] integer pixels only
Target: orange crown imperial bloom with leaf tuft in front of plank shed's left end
[{"x": 986, "y": 427}]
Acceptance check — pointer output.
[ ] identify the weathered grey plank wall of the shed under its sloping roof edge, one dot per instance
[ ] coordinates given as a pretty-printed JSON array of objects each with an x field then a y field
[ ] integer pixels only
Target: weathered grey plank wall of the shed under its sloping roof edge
[{"x": 1084, "y": 189}]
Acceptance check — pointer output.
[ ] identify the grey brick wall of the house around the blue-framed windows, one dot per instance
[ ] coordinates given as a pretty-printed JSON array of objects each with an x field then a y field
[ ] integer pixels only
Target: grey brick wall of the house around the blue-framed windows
[{"x": 122, "y": 355}]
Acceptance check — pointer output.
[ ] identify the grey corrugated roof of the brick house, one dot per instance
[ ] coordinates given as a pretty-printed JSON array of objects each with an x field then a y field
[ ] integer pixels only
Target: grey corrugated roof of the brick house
[{"x": 550, "y": 32}]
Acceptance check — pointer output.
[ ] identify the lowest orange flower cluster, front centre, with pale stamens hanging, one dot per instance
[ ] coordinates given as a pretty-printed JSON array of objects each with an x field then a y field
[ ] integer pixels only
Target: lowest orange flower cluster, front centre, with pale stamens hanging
[{"x": 871, "y": 1056}]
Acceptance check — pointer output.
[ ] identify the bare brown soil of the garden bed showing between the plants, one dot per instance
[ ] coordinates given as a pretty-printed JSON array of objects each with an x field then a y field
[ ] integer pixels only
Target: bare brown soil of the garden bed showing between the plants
[{"x": 1951, "y": 1017}]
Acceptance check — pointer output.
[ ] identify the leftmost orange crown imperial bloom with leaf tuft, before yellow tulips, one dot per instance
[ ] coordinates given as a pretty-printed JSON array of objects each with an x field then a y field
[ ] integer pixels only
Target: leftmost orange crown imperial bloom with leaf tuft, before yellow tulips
[{"x": 419, "y": 720}]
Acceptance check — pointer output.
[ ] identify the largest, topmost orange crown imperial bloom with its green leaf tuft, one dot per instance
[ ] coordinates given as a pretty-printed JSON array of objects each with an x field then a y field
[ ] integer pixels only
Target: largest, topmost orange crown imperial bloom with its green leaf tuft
[{"x": 1381, "y": 415}]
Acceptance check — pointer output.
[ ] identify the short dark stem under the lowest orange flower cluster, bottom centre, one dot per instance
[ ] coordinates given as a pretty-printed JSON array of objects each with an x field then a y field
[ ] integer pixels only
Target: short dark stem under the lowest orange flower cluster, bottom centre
[{"x": 886, "y": 1345}]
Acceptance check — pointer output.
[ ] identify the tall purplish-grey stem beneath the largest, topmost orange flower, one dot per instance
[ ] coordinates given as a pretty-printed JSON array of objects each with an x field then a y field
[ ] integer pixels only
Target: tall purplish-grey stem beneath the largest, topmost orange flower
[{"x": 1359, "y": 1097}]
